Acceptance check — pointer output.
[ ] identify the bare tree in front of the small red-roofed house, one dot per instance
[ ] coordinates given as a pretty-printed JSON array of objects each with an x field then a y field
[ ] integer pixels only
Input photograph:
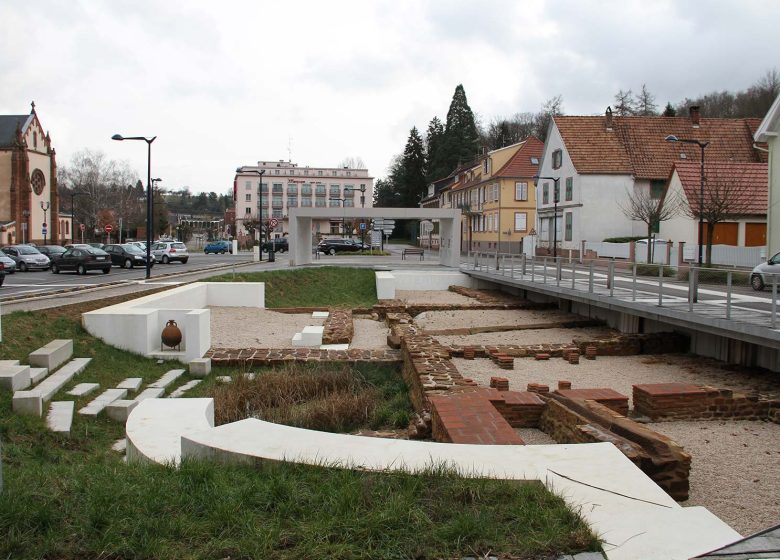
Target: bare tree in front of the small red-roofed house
[{"x": 725, "y": 196}]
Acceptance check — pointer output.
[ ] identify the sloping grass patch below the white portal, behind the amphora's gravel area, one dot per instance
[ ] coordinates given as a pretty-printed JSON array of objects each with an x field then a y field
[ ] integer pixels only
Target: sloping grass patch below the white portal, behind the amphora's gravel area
[{"x": 327, "y": 286}]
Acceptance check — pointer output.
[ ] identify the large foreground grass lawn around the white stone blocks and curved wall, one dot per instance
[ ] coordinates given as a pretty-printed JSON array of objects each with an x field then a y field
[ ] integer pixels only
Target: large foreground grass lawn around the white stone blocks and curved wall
[{"x": 74, "y": 498}]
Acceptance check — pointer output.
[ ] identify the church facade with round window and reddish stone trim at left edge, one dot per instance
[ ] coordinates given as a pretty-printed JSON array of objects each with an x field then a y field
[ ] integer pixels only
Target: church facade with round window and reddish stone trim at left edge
[{"x": 28, "y": 182}]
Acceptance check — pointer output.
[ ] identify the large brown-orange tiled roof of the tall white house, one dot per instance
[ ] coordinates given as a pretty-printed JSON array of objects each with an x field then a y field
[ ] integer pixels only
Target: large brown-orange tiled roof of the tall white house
[{"x": 637, "y": 146}]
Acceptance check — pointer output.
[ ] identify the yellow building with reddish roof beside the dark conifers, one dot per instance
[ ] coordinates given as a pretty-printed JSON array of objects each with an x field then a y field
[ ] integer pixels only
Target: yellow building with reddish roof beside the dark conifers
[{"x": 498, "y": 198}]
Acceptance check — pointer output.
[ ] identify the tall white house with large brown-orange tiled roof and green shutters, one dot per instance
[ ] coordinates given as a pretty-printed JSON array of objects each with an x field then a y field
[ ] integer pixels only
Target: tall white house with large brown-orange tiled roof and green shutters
[{"x": 598, "y": 160}]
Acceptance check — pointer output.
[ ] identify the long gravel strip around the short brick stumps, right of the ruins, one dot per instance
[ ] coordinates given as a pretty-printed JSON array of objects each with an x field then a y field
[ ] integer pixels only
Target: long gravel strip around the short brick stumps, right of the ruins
[{"x": 619, "y": 373}]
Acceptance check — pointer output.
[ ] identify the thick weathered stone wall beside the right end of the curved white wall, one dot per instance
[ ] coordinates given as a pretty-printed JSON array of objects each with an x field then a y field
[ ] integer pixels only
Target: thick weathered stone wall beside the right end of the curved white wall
[{"x": 582, "y": 421}]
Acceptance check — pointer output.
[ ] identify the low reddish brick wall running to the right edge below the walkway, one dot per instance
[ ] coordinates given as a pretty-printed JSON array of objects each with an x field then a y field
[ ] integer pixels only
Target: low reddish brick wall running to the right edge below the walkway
[{"x": 685, "y": 401}]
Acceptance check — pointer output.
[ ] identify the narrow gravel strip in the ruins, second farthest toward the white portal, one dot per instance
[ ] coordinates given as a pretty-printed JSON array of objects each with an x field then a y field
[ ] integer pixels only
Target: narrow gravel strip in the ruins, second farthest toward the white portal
[{"x": 435, "y": 320}]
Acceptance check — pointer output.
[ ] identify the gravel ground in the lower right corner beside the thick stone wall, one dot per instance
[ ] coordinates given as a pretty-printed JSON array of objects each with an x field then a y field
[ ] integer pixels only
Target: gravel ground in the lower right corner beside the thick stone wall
[{"x": 735, "y": 471}]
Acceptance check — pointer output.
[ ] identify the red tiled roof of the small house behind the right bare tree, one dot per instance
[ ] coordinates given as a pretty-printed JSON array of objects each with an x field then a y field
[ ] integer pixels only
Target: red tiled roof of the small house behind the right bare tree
[{"x": 750, "y": 180}]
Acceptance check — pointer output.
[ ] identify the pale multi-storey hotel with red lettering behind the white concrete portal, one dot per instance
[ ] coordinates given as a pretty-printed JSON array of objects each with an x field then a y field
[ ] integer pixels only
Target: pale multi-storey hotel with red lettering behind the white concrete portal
[{"x": 284, "y": 185}]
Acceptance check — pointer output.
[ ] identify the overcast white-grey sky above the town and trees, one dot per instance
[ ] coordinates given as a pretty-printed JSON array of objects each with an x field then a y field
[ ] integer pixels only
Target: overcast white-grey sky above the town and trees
[{"x": 228, "y": 83}]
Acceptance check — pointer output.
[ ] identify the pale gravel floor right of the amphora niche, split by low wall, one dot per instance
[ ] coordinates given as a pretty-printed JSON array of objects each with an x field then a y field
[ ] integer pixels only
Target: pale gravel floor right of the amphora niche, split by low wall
[{"x": 243, "y": 327}]
